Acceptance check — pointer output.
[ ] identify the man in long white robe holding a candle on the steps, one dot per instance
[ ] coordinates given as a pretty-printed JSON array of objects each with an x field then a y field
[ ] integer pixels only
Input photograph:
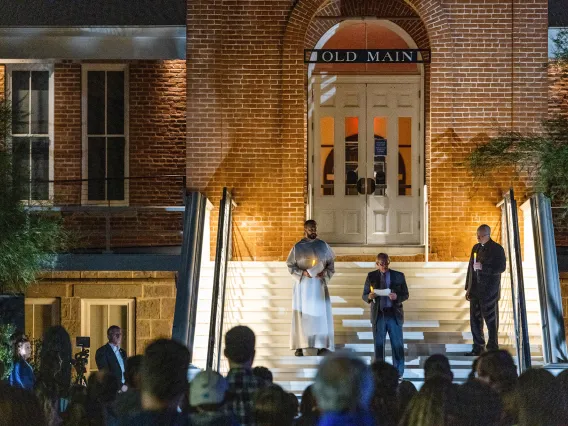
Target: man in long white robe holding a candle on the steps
[{"x": 311, "y": 264}]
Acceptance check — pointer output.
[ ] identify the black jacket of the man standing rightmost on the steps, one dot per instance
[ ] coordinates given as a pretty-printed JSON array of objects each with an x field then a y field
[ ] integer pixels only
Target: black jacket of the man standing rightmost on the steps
[{"x": 493, "y": 263}]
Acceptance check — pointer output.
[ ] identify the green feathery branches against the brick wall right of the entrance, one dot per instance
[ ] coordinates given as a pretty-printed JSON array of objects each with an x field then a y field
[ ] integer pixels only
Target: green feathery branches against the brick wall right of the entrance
[{"x": 543, "y": 155}]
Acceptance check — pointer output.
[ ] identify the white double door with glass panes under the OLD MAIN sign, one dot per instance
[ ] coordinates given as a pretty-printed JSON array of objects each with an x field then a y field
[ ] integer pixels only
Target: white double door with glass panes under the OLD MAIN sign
[{"x": 365, "y": 172}]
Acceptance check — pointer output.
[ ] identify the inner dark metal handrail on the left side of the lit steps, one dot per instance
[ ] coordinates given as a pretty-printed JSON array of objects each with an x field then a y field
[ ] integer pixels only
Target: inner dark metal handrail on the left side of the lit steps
[{"x": 223, "y": 253}]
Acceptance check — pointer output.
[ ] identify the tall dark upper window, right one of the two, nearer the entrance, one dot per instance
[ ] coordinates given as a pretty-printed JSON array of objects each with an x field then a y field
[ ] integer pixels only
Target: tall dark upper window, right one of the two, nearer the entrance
[{"x": 105, "y": 132}]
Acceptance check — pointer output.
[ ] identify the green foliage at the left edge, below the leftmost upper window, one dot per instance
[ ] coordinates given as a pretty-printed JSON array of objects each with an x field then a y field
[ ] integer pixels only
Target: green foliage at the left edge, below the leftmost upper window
[{"x": 28, "y": 240}]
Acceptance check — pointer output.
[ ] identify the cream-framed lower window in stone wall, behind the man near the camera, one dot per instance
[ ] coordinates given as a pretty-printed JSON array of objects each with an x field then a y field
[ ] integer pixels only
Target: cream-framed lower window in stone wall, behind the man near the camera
[{"x": 97, "y": 315}]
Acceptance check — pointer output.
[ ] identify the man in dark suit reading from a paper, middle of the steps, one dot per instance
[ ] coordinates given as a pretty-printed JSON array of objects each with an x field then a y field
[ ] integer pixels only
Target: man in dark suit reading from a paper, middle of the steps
[{"x": 387, "y": 314}]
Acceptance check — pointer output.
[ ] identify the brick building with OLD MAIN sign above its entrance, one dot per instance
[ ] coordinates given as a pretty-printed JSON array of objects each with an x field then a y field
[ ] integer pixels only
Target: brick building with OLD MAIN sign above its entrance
[{"x": 129, "y": 102}]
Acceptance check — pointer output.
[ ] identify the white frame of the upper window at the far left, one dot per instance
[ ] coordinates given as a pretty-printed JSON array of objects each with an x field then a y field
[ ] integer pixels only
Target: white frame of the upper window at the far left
[{"x": 42, "y": 66}]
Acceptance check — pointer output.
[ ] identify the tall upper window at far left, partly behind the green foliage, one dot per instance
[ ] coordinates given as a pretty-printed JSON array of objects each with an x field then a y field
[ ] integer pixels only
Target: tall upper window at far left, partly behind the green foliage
[{"x": 31, "y": 91}]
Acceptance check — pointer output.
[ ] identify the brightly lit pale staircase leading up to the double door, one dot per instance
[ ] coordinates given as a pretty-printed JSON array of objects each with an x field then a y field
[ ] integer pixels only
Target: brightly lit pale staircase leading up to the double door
[{"x": 259, "y": 294}]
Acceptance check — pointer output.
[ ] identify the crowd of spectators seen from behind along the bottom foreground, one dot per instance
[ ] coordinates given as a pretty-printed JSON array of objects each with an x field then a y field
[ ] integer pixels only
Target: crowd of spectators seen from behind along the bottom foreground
[{"x": 155, "y": 390}]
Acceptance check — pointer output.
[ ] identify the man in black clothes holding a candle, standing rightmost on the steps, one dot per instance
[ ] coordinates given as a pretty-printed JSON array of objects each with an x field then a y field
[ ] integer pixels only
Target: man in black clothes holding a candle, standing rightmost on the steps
[{"x": 483, "y": 289}]
